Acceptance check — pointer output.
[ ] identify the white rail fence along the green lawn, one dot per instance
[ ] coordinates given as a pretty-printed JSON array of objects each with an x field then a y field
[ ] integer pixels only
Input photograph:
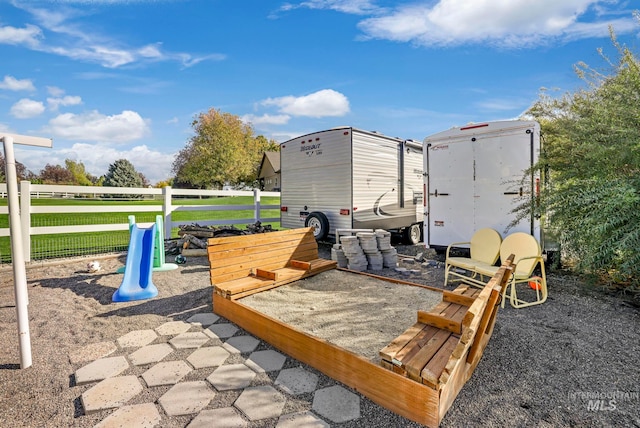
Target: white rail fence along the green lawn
[{"x": 167, "y": 198}]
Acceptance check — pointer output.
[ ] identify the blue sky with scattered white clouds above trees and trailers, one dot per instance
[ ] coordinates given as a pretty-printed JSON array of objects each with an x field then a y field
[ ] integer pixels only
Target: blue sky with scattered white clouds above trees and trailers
[{"x": 113, "y": 79}]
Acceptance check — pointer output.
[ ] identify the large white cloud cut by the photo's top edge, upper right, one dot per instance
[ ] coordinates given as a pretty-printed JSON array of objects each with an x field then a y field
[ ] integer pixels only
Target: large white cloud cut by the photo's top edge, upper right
[{"x": 514, "y": 23}]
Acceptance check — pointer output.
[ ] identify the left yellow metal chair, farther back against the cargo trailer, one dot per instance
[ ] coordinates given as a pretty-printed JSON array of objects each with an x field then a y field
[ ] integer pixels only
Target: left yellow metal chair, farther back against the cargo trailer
[{"x": 484, "y": 250}]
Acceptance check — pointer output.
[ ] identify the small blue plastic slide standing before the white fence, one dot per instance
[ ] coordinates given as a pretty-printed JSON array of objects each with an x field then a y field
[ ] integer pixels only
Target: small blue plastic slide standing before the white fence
[{"x": 137, "y": 284}]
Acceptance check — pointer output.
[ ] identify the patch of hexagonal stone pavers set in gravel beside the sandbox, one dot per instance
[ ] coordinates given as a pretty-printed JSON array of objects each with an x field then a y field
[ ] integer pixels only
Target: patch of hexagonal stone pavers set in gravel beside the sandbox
[{"x": 145, "y": 378}]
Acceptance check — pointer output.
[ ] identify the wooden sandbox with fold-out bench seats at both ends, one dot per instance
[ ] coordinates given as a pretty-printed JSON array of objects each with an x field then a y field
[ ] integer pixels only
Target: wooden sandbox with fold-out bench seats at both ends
[{"x": 423, "y": 367}]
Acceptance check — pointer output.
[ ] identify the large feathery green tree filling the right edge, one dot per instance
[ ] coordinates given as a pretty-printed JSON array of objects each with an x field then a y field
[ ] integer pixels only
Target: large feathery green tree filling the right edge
[{"x": 592, "y": 156}]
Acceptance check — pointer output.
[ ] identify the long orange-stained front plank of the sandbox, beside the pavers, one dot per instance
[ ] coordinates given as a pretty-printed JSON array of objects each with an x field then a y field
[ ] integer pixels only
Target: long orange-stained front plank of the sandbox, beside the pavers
[{"x": 401, "y": 395}]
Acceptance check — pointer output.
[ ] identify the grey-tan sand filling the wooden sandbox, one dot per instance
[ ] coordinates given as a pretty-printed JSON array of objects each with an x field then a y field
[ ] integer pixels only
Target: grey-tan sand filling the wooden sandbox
[{"x": 356, "y": 312}]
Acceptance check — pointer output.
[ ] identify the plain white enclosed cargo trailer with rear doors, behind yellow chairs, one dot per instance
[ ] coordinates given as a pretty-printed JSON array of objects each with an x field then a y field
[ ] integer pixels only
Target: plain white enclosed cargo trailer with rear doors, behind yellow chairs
[{"x": 473, "y": 178}]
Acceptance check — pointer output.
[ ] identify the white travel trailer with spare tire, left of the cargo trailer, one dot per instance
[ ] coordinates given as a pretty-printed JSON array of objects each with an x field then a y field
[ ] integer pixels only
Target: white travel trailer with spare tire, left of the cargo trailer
[{"x": 347, "y": 178}]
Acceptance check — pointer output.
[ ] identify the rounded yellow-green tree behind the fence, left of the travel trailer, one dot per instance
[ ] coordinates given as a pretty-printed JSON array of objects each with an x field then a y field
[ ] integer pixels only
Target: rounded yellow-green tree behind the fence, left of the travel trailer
[{"x": 223, "y": 150}]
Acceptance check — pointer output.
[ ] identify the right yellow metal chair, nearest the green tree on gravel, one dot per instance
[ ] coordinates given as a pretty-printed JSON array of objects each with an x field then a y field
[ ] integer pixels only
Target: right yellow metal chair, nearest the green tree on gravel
[{"x": 528, "y": 255}]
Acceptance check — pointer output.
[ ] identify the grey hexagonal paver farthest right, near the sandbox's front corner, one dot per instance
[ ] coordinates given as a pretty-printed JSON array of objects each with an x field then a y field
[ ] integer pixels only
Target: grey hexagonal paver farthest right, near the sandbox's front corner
[{"x": 336, "y": 404}]
